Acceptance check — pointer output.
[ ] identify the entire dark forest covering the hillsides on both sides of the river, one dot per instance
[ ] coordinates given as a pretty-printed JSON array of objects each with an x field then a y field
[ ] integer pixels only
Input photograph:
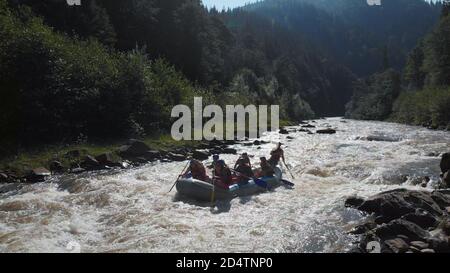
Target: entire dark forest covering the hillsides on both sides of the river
[{"x": 112, "y": 69}]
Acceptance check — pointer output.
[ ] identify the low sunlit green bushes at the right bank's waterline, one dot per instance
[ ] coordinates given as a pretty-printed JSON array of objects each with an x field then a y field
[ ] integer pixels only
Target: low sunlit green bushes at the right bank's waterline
[{"x": 429, "y": 106}]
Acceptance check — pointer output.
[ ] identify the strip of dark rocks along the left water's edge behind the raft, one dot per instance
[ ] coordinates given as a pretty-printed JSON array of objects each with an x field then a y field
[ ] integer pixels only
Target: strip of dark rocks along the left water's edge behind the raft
[{"x": 133, "y": 153}]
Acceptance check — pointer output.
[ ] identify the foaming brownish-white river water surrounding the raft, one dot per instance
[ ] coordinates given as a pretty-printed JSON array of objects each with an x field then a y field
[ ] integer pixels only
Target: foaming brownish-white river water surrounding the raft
[{"x": 132, "y": 211}]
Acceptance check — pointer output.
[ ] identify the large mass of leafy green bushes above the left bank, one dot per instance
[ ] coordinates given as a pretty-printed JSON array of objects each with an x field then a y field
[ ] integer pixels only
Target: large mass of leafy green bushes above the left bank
[{"x": 56, "y": 88}]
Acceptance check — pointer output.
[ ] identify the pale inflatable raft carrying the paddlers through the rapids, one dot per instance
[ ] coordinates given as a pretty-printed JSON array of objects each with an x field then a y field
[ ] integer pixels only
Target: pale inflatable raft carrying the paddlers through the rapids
[{"x": 203, "y": 191}]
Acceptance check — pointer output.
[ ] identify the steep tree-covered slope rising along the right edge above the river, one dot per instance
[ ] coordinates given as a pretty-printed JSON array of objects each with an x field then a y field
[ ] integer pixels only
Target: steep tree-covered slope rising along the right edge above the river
[{"x": 420, "y": 94}]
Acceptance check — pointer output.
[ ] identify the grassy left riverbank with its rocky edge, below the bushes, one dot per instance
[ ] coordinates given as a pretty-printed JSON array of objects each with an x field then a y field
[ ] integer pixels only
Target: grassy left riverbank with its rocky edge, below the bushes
[{"x": 38, "y": 164}]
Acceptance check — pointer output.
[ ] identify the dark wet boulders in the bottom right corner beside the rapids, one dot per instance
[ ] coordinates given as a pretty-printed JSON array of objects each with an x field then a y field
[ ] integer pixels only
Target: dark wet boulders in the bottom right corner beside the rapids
[{"x": 406, "y": 221}]
